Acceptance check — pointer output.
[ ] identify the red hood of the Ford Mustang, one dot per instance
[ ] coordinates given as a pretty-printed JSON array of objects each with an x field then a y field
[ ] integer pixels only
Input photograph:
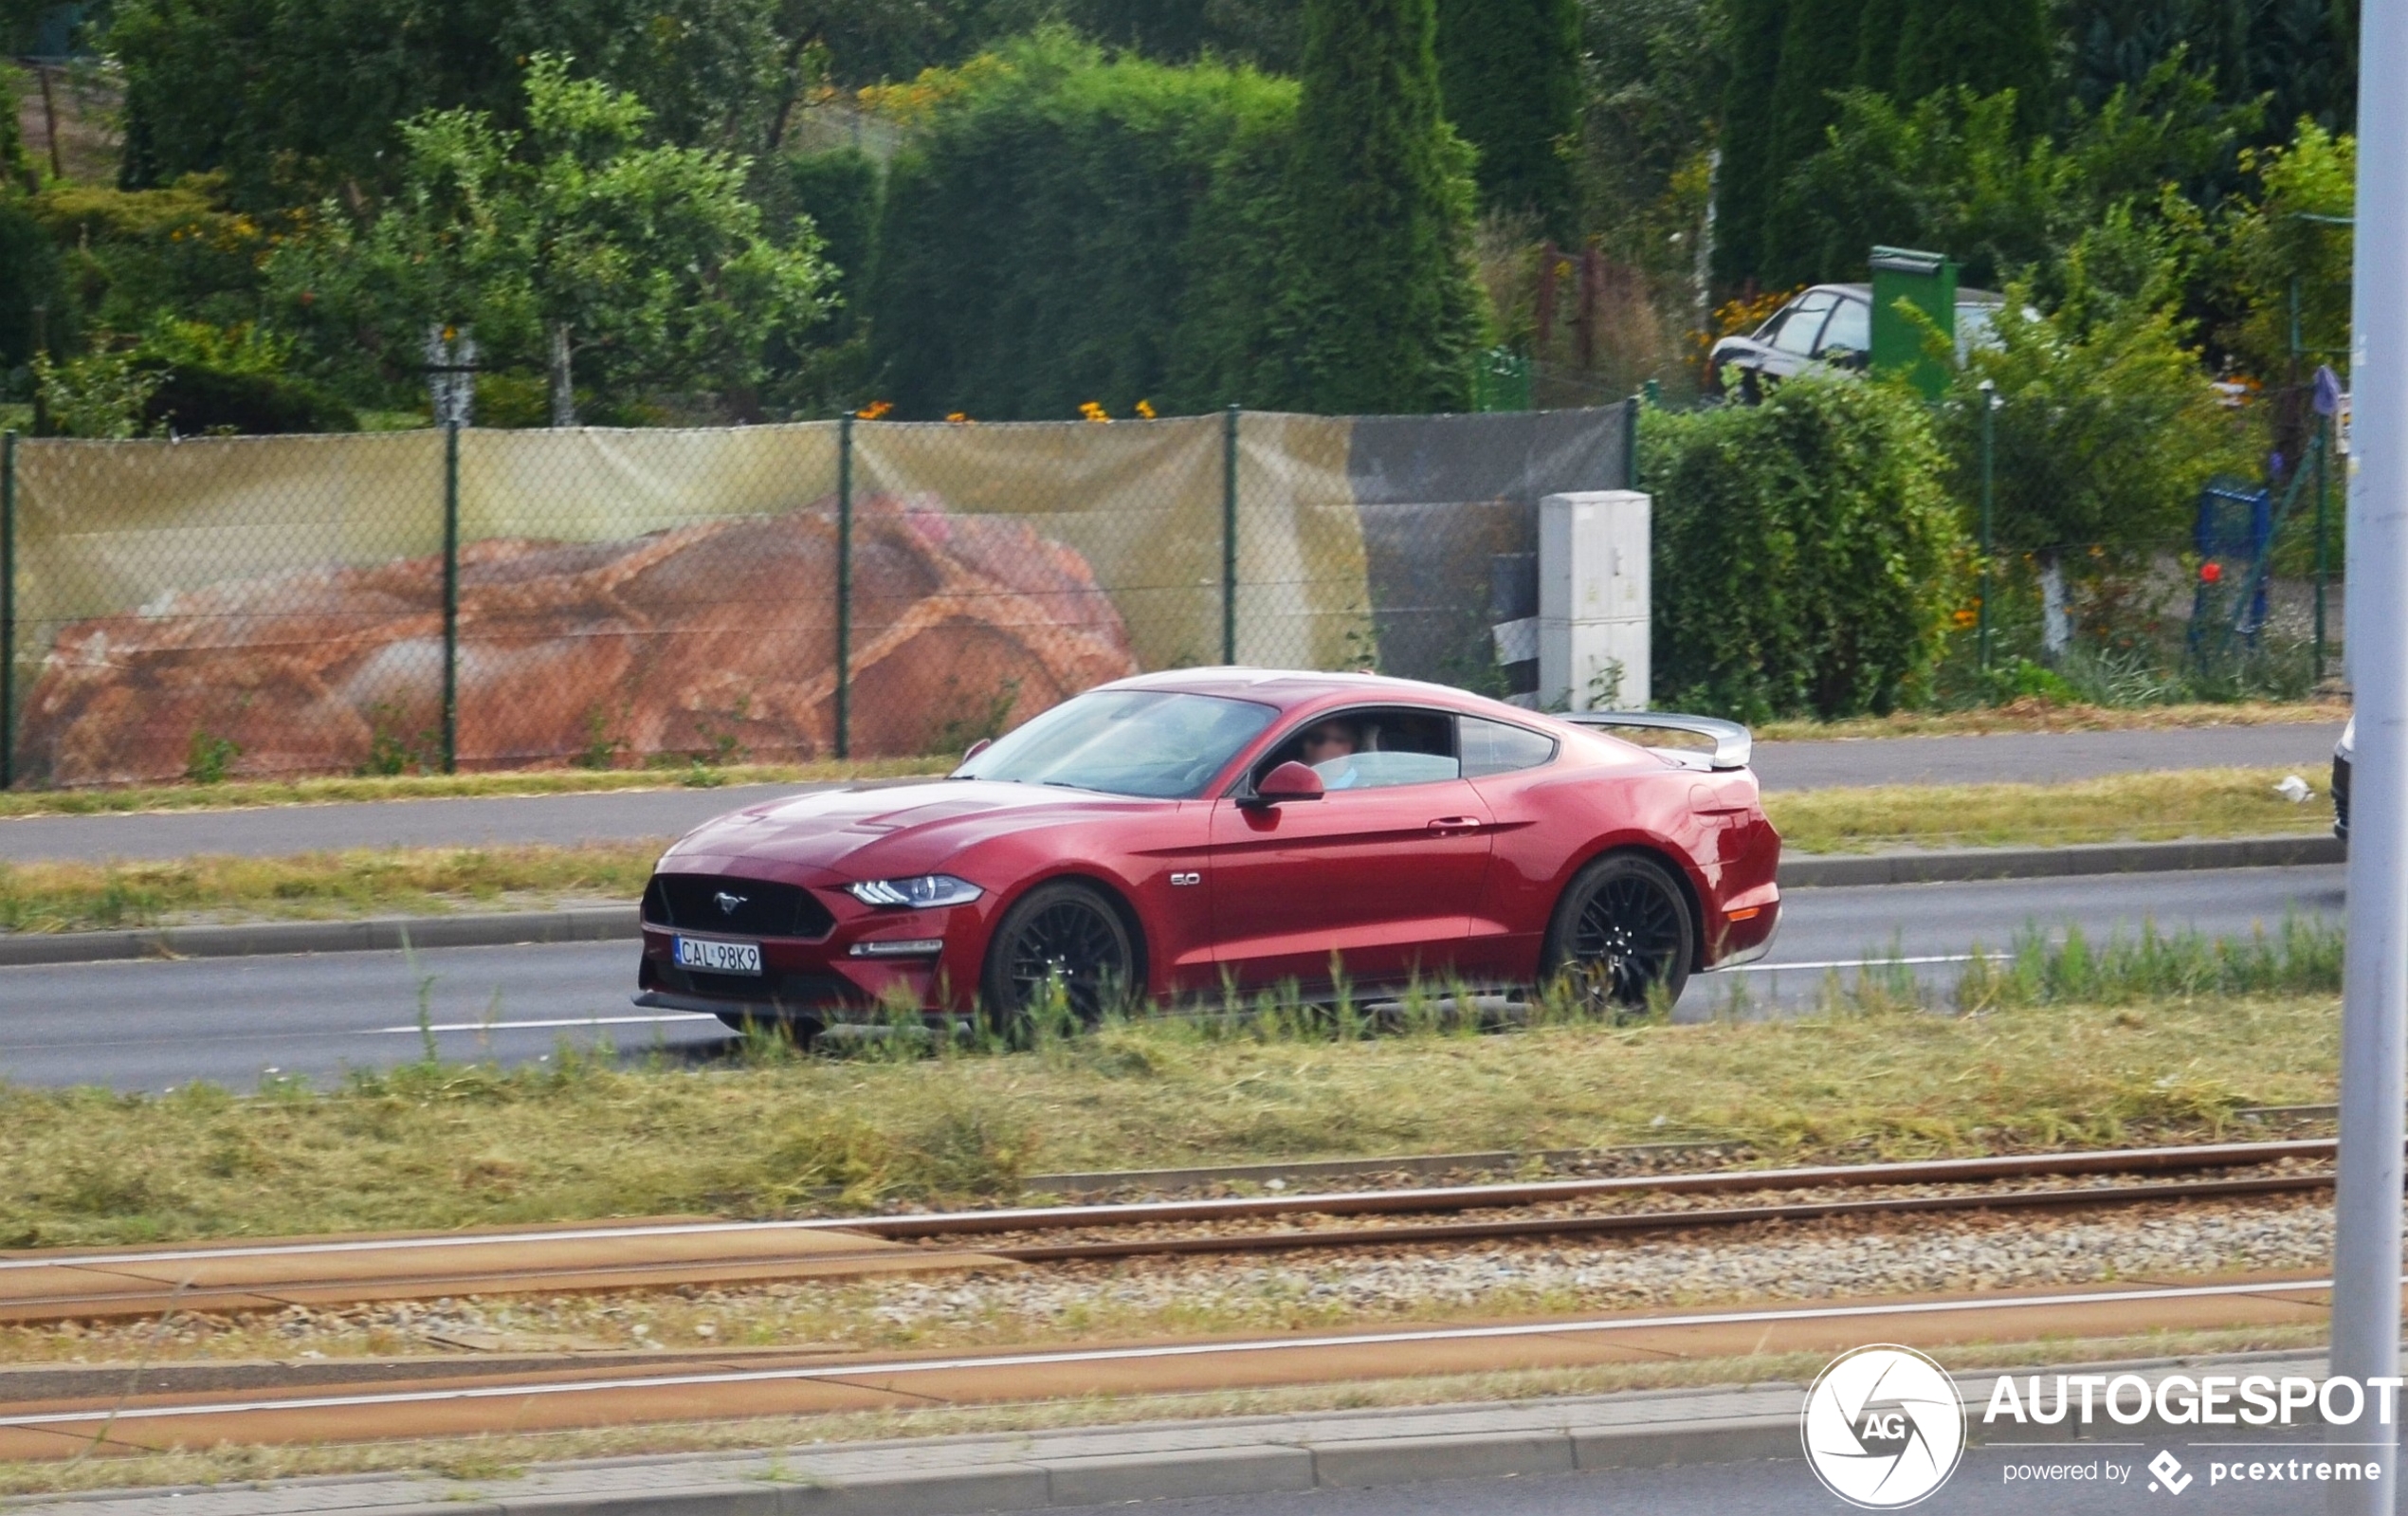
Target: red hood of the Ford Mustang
[{"x": 890, "y": 831}]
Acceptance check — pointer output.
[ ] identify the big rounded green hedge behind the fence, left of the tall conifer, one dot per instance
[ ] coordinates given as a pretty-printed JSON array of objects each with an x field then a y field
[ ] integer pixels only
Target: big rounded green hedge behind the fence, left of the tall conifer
[{"x": 1039, "y": 242}]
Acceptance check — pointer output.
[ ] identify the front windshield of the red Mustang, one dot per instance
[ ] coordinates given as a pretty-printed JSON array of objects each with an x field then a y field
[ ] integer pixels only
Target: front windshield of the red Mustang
[{"x": 1126, "y": 742}]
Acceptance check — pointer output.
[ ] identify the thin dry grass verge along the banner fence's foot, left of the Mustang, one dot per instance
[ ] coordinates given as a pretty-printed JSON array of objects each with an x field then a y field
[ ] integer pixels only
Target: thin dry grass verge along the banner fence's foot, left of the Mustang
[{"x": 237, "y": 795}]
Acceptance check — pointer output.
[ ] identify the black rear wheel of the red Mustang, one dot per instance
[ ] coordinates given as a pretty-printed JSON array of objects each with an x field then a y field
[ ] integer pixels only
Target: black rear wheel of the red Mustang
[{"x": 1619, "y": 932}]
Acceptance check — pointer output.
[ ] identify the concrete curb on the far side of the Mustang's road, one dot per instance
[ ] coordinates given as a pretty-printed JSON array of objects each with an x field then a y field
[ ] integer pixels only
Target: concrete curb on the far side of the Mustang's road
[{"x": 618, "y": 923}]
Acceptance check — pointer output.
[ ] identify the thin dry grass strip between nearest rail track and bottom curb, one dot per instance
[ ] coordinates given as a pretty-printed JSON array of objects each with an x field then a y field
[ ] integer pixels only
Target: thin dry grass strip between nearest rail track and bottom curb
[{"x": 509, "y": 1455}]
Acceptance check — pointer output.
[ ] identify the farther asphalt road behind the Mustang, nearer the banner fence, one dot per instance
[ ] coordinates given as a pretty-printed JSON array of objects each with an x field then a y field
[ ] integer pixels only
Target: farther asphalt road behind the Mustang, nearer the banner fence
[{"x": 567, "y": 819}]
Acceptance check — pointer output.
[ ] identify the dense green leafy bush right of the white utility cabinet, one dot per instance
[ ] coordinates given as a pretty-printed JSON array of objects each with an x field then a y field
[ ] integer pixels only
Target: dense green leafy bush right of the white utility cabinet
[{"x": 1807, "y": 559}]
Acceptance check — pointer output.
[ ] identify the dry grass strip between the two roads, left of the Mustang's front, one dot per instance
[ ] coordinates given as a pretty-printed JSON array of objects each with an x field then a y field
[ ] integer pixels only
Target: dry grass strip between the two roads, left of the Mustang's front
[{"x": 73, "y": 896}]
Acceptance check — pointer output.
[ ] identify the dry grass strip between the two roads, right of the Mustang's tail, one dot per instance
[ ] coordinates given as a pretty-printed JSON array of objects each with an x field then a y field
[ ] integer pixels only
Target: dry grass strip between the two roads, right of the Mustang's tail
[{"x": 2142, "y": 807}]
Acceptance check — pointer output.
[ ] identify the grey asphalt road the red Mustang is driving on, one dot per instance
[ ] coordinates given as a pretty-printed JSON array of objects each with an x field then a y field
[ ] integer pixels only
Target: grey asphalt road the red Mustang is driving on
[{"x": 148, "y": 1026}]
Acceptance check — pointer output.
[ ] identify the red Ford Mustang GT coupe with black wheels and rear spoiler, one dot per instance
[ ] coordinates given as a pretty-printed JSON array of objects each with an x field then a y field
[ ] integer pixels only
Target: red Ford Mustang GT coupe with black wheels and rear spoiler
[{"x": 1191, "y": 834}]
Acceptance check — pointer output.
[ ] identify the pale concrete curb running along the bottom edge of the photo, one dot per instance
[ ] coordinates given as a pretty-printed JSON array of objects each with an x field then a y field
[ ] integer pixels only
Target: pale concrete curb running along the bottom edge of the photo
[{"x": 1087, "y": 1467}]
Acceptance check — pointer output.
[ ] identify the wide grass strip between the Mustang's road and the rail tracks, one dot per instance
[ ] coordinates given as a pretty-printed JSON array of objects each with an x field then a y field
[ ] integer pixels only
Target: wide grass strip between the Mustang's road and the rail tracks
[{"x": 2164, "y": 1043}]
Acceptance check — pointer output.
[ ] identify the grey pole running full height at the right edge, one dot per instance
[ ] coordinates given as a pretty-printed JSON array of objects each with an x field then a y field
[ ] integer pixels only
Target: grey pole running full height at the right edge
[{"x": 2375, "y": 966}]
